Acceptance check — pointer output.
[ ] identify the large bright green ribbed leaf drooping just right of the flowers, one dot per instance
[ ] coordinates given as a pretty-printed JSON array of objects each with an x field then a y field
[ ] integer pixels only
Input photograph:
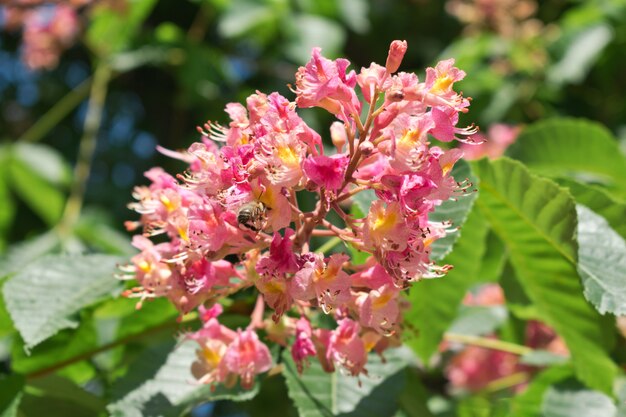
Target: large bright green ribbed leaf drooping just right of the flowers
[{"x": 537, "y": 222}]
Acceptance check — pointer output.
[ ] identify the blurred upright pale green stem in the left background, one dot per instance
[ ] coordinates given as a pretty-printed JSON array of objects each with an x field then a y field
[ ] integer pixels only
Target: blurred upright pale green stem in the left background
[{"x": 86, "y": 149}]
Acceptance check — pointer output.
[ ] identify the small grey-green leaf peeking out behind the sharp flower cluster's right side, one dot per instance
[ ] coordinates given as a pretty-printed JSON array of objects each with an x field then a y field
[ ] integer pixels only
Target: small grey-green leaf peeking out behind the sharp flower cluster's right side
[{"x": 454, "y": 211}]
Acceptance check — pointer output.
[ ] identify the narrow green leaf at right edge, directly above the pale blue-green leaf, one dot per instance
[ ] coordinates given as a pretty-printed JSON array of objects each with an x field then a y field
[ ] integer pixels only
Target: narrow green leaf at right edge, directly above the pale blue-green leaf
[{"x": 600, "y": 201}]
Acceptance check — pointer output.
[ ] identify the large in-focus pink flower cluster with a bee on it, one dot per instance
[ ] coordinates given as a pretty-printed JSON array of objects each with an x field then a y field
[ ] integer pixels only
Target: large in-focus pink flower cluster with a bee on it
[{"x": 232, "y": 222}]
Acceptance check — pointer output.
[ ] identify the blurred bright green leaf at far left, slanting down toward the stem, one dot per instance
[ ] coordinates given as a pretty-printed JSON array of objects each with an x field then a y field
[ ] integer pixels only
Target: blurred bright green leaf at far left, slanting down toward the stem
[{"x": 44, "y": 198}]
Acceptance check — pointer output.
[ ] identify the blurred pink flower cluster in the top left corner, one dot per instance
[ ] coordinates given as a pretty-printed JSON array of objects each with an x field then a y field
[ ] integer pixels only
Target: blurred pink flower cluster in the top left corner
[{"x": 48, "y": 29}]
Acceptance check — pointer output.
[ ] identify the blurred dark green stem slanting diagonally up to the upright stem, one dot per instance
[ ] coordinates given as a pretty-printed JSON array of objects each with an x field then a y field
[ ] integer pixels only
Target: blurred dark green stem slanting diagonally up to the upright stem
[{"x": 57, "y": 113}]
